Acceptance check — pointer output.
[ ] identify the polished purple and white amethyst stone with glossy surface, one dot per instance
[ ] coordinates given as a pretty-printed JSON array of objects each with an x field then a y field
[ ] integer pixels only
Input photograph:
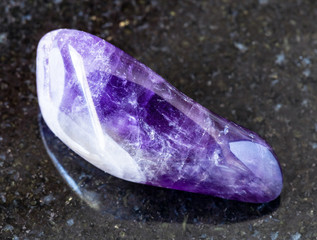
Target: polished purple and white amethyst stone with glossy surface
[{"x": 128, "y": 121}]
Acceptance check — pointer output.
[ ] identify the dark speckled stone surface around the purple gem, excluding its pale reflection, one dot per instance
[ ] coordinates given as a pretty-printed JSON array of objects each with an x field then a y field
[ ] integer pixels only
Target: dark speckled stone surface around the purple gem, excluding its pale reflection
[{"x": 253, "y": 62}]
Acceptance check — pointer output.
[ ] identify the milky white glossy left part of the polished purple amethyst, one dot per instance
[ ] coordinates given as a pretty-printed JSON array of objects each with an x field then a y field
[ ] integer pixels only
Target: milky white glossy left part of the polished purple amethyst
[{"x": 80, "y": 130}]
